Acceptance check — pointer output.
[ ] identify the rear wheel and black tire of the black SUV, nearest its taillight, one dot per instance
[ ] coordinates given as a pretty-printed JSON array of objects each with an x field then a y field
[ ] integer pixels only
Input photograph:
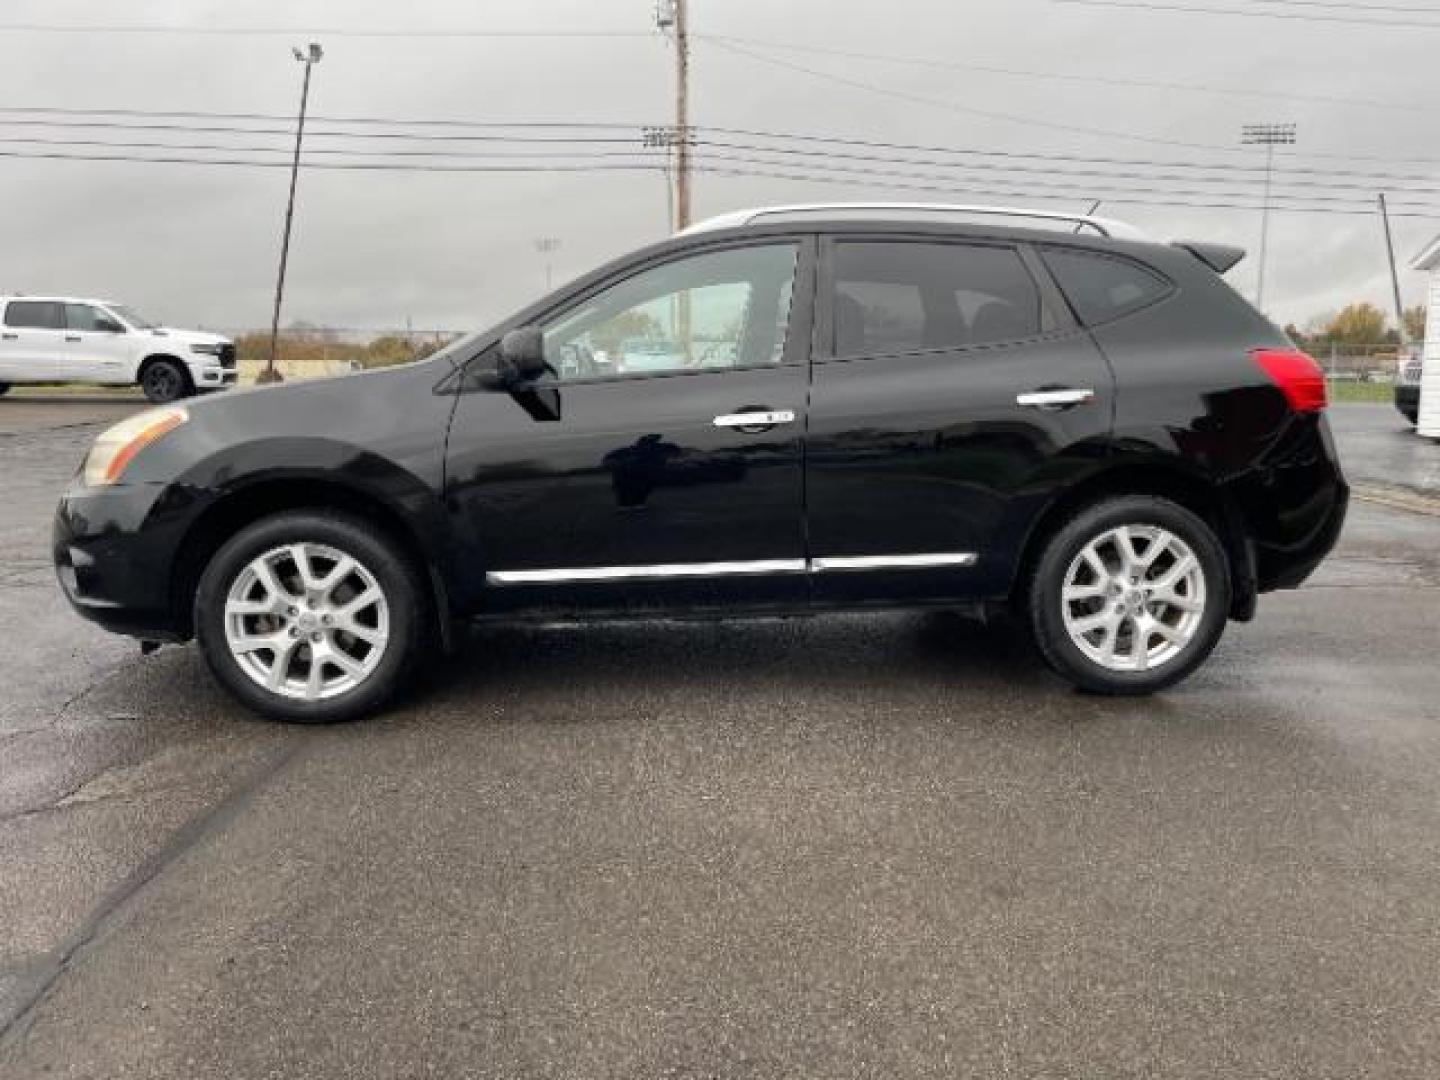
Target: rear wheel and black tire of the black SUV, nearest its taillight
[{"x": 1074, "y": 634}]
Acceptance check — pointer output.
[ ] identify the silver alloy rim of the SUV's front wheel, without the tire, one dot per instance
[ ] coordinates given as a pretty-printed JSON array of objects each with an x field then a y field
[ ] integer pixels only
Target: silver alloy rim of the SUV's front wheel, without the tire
[{"x": 307, "y": 621}]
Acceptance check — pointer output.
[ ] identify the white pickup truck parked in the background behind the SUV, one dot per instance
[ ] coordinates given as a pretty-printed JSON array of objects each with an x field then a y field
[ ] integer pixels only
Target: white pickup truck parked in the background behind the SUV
[{"x": 70, "y": 341}]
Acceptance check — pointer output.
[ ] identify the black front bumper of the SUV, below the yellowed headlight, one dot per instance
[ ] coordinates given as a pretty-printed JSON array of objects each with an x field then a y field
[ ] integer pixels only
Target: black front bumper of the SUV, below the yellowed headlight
[{"x": 114, "y": 570}]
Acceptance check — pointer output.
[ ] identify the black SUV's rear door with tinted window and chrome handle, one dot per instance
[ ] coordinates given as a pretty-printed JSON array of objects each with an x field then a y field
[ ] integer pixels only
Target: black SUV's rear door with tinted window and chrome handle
[{"x": 953, "y": 394}]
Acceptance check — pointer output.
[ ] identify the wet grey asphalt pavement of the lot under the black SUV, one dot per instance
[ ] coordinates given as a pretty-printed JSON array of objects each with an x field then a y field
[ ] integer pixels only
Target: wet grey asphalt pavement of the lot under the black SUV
[{"x": 862, "y": 846}]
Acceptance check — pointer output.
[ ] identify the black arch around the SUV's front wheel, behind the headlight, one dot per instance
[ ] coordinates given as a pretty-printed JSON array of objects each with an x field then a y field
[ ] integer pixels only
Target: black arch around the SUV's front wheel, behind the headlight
[{"x": 261, "y": 499}]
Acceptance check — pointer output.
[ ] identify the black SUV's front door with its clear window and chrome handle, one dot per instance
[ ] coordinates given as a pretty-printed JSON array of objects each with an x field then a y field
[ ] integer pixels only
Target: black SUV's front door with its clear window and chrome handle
[{"x": 607, "y": 487}]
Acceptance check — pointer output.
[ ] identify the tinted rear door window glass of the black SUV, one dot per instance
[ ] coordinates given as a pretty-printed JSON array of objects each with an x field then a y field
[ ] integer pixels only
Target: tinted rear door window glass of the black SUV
[{"x": 905, "y": 297}]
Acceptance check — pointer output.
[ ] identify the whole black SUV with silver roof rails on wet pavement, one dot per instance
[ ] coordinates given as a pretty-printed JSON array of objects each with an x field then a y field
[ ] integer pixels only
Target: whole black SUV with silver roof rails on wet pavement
[{"x": 793, "y": 411}]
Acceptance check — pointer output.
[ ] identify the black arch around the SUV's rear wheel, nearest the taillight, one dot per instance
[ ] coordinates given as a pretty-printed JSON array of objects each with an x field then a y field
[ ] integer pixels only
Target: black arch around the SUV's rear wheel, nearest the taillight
[{"x": 1163, "y": 480}]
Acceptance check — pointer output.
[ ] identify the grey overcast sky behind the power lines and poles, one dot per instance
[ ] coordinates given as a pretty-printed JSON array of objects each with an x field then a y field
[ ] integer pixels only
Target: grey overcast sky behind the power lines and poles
[{"x": 198, "y": 244}]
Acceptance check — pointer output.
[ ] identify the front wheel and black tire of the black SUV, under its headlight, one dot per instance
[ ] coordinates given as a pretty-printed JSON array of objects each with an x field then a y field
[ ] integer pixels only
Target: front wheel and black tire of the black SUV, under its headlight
[{"x": 394, "y": 626}]
